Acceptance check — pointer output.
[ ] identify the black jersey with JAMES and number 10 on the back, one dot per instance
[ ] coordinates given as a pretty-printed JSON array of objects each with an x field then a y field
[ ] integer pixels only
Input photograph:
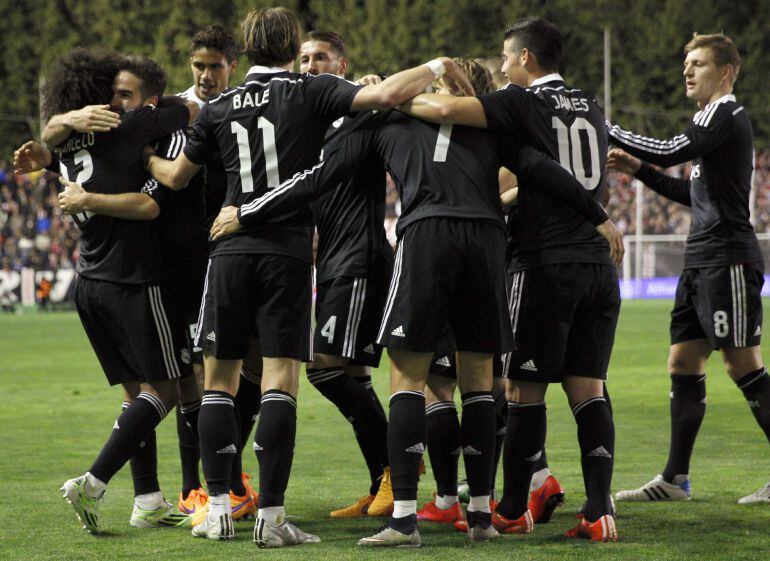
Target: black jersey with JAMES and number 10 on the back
[{"x": 568, "y": 126}]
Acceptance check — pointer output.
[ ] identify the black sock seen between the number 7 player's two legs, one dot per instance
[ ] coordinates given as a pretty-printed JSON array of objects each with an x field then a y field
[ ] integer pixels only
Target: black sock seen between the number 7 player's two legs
[{"x": 444, "y": 447}]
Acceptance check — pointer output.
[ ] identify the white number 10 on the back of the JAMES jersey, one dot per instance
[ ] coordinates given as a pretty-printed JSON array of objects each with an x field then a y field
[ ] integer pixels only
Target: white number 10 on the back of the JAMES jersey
[{"x": 572, "y": 150}]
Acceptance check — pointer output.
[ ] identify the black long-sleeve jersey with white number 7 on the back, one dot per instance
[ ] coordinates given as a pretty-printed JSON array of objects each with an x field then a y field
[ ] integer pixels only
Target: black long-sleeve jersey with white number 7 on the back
[{"x": 441, "y": 171}]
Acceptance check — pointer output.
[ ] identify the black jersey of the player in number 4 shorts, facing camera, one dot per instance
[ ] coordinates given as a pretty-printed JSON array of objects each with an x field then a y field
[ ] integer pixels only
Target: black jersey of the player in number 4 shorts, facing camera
[{"x": 350, "y": 218}]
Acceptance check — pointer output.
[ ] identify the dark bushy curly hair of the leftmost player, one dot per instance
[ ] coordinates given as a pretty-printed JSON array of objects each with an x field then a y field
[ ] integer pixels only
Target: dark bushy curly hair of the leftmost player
[{"x": 79, "y": 78}]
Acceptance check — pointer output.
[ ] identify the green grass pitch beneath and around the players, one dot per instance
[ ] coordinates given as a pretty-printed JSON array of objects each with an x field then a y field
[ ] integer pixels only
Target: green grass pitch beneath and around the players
[{"x": 56, "y": 410}]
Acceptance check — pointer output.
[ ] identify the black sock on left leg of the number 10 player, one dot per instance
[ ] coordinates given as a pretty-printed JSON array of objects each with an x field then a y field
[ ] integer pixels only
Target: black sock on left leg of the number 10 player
[{"x": 524, "y": 440}]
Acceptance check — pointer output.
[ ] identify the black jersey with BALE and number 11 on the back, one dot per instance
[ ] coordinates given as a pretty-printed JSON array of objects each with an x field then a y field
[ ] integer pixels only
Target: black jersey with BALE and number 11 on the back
[{"x": 267, "y": 129}]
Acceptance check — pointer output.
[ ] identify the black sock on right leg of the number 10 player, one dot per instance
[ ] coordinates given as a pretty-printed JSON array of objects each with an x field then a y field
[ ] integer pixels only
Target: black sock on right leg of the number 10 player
[{"x": 596, "y": 436}]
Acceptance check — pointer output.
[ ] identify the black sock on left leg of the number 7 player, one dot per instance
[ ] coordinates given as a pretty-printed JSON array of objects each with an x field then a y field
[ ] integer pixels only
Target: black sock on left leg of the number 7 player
[{"x": 406, "y": 442}]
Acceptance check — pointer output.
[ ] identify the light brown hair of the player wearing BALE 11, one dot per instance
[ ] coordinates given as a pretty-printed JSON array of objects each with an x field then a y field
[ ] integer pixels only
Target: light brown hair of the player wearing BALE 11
[{"x": 271, "y": 36}]
